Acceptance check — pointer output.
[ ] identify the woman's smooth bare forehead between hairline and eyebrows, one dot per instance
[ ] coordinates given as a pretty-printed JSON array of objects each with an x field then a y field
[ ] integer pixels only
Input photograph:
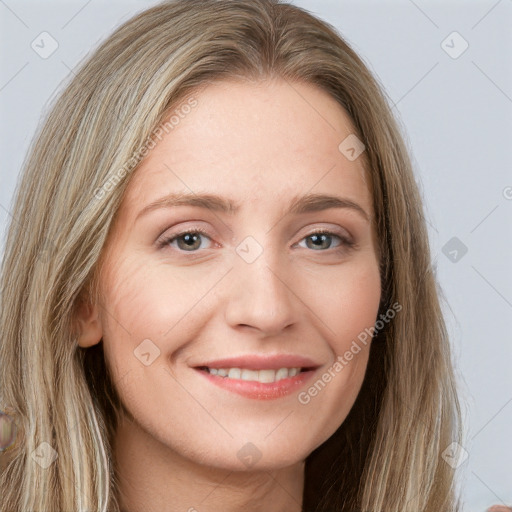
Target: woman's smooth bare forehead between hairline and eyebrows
[{"x": 259, "y": 142}]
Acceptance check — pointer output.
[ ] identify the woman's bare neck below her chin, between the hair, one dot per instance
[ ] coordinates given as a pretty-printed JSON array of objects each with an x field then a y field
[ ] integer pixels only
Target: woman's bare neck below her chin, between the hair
[{"x": 152, "y": 477}]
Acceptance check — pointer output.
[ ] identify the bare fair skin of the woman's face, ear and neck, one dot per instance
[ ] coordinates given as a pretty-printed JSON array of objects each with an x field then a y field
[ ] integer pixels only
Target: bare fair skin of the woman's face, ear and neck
[{"x": 259, "y": 144}]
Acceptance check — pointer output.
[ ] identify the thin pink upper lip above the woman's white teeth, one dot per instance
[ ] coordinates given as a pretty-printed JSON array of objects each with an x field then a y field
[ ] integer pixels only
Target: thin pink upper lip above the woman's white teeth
[{"x": 262, "y": 362}]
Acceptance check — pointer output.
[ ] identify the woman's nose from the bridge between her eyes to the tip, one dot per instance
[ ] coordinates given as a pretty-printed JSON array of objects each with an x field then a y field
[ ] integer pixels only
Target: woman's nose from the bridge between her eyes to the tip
[{"x": 261, "y": 296}]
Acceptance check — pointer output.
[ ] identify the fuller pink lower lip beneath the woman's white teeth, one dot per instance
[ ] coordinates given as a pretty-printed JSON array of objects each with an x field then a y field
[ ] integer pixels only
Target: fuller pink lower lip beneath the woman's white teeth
[{"x": 260, "y": 390}]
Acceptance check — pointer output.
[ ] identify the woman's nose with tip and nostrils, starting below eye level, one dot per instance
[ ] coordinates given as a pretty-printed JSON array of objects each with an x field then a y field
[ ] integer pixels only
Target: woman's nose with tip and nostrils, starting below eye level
[{"x": 261, "y": 298}]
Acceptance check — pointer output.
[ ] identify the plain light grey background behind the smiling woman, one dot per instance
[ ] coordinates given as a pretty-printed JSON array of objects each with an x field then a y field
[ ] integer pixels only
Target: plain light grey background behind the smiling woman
[{"x": 456, "y": 114}]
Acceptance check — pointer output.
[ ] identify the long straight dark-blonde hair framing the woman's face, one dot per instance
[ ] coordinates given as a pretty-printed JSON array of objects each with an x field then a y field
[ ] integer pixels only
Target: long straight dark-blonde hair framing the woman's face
[{"x": 386, "y": 456}]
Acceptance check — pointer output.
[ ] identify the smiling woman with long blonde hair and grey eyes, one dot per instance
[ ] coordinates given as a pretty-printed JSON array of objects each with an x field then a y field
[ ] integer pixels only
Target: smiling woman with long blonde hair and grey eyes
[{"x": 176, "y": 336}]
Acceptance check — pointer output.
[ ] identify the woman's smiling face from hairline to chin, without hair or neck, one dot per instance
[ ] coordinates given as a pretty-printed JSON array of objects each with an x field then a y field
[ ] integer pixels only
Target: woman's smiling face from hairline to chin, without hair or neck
[{"x": 256, "y": 283}]
